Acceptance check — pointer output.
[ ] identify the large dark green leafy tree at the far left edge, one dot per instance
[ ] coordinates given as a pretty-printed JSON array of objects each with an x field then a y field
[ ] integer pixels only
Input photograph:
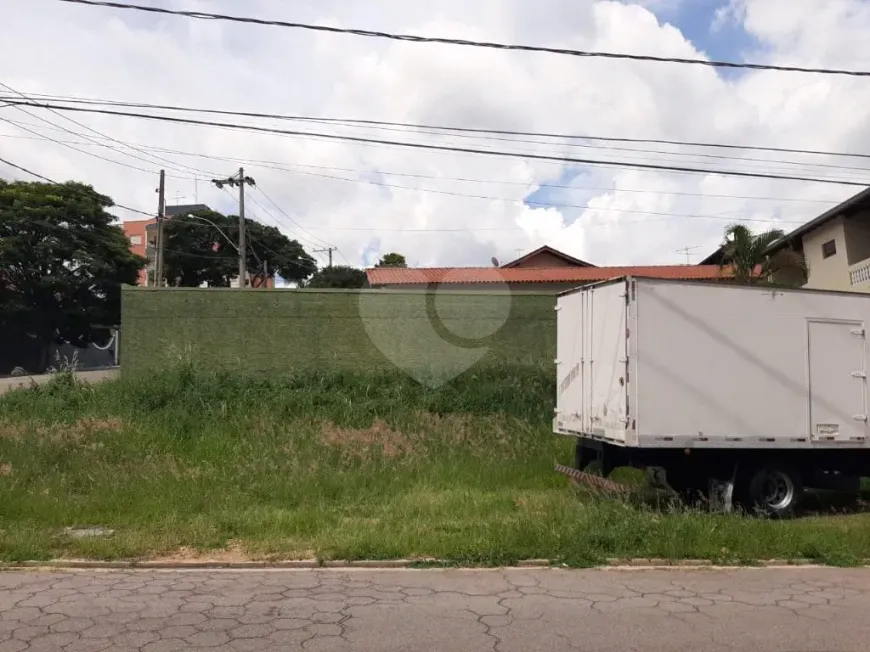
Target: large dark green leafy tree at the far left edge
[{"x": 62, "y": 264}]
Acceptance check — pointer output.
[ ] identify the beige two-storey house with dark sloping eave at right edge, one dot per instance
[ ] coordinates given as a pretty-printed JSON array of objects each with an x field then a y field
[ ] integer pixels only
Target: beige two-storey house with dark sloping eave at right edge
[{"x": 836, "y": 246}]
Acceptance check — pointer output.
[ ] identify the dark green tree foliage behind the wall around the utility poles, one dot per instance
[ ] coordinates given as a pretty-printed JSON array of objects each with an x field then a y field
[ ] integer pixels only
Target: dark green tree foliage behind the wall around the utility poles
[{"x": 202, "y": 248}]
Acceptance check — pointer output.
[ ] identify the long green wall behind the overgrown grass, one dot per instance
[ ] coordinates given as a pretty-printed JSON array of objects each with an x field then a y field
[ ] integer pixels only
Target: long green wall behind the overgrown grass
[{"x": 280, "y": 331}]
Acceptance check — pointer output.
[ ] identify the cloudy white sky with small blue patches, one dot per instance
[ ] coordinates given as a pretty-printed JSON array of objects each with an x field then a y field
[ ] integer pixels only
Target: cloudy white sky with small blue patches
[{"x": 449, "y": 208}]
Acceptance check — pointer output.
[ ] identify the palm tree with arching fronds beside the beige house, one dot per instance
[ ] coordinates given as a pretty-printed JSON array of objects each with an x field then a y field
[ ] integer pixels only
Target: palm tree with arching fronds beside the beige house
[{"x": 745, "y": 254}]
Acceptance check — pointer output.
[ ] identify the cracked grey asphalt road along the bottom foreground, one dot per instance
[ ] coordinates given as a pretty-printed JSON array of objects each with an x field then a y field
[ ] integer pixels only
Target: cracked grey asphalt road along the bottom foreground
[{"x": 781, "y": 610}]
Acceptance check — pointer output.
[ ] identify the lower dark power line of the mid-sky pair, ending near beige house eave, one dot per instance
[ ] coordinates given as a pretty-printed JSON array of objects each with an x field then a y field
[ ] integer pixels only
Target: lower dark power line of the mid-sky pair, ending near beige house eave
[{"x": 456, "y": 149}]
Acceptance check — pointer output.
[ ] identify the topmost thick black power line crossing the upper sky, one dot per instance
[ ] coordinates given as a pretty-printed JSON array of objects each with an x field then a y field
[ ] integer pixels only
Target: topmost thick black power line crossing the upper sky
[{"x": 413, "y": 38}]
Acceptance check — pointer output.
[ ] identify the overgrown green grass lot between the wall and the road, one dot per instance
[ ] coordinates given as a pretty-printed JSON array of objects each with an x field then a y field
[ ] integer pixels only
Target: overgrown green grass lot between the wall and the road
[{"x": 339, "y": 466}]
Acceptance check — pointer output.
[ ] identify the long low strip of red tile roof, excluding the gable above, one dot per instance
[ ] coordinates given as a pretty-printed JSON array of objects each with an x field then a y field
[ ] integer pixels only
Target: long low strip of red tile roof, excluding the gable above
[{"x": 462, "y": 275}]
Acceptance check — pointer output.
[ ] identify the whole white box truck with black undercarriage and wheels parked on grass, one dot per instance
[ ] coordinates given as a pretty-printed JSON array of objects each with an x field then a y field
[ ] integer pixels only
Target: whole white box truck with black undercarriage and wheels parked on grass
[{"x": 757, "y": 391}]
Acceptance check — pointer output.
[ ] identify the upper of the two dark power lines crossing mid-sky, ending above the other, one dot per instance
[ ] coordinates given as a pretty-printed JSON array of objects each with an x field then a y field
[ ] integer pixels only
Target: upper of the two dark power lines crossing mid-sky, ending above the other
[{"x": 431, "y": 127}]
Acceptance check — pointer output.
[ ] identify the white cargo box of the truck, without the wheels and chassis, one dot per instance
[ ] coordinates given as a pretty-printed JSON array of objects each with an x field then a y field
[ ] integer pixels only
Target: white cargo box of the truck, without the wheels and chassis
[{"x": 654, "y": 363}]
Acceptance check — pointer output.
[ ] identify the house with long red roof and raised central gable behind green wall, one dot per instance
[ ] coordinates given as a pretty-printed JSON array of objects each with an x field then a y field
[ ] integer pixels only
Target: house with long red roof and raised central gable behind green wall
[{"x": 543, "y": 270}]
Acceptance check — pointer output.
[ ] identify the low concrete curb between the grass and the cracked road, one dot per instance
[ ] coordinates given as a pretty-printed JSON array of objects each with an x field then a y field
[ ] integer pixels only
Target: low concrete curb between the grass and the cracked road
[{"x": 376, "y": 564}]
